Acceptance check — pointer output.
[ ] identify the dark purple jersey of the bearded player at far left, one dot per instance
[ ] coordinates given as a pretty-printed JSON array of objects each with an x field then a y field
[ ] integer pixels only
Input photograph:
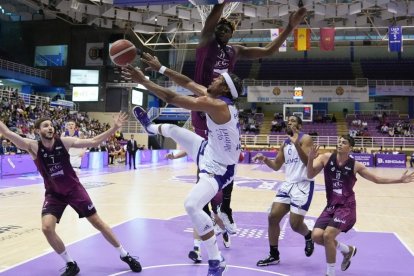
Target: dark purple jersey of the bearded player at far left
[{"x": 56, "y": 170}]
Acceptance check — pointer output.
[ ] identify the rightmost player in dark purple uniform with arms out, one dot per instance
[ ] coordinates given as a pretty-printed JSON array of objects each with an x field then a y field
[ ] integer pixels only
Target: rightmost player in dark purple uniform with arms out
[{"x": 339, "y": 215}]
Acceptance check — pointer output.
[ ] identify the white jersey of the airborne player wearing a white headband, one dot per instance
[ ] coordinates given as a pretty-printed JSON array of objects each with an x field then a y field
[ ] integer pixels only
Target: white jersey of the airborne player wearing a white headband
[{"x": 223, "y": 147}]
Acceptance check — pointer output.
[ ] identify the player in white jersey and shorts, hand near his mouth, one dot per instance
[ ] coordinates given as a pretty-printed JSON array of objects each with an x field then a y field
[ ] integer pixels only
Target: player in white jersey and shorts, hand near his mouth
[{"x": 295, "y": 194}]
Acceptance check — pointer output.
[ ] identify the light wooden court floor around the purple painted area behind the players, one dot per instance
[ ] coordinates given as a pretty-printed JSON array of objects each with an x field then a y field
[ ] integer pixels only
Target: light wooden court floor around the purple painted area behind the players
[{"x": 158, "y": 191}]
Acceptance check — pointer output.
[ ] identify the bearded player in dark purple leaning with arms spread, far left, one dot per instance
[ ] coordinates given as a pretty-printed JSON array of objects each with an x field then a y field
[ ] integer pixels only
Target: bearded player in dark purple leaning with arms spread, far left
[{"x": 62, "y": 185}]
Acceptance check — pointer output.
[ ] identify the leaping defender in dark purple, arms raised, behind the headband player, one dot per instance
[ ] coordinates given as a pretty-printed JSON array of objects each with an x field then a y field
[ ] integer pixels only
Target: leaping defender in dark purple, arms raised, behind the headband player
[{"x": 213, "y": 57}]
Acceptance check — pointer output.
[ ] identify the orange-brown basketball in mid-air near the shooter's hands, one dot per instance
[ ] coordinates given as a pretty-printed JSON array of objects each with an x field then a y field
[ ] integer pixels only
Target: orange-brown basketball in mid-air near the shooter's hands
[{"x": 122, "y": 52}]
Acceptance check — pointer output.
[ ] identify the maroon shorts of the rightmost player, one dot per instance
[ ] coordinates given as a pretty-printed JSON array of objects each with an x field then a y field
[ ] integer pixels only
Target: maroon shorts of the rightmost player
[{"x": 342, "y": 217}]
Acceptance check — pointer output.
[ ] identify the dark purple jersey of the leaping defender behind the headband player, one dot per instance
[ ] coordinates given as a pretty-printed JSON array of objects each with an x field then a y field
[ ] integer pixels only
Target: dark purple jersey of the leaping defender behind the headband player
[{"x": 211, "y": 61}]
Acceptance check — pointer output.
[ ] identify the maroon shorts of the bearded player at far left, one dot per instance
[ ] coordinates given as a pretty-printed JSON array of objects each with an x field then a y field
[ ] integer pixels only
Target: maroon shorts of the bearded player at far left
[{"x": 78, "y": 199}]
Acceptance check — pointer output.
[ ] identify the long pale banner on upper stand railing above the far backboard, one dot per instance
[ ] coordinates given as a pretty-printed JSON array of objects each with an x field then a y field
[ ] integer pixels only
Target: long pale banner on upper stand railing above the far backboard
[{"x": 311, "y": 94}]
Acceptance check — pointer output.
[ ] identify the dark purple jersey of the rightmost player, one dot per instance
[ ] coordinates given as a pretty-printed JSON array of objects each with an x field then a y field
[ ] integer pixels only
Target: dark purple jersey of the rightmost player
[{"x": 339, "y": 181}]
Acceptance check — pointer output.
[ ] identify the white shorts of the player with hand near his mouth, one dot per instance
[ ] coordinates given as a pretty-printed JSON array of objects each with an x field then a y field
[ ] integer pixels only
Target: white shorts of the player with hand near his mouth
[{"x": 298, "y": 195}]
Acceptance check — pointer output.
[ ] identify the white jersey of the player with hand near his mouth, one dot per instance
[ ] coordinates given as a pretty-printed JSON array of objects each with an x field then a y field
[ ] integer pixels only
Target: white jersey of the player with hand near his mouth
[{"x": 295, "y": 170}]
